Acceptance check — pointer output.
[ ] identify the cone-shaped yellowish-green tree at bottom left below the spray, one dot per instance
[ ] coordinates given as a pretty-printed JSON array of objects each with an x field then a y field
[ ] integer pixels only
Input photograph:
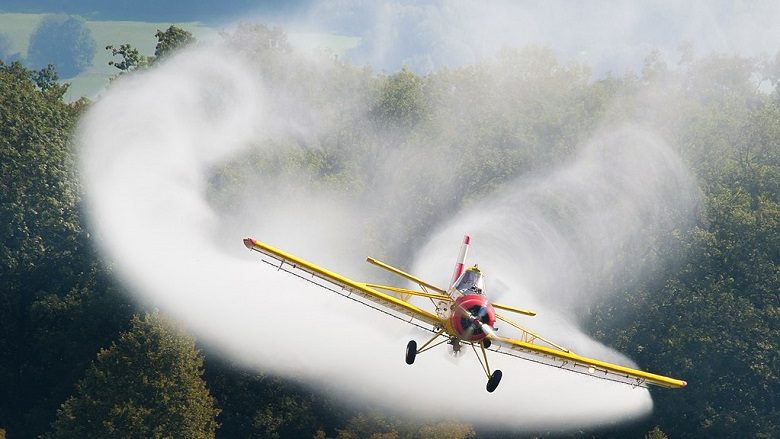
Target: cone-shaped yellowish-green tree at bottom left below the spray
[{"x": 148, "y": 384}]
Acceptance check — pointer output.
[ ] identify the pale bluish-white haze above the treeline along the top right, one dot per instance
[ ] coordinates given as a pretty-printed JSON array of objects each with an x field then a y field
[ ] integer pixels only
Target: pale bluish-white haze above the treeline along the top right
[{"x": 612, "y": 36}]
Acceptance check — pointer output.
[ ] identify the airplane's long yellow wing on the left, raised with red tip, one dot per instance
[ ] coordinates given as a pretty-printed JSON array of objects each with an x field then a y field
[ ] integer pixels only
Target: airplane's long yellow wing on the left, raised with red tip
[{"x": 359, "y": 288}]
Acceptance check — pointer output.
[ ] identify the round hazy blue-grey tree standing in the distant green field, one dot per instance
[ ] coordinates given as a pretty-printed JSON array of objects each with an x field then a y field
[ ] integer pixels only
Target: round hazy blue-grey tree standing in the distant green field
[{"x": 63, "y": 41}]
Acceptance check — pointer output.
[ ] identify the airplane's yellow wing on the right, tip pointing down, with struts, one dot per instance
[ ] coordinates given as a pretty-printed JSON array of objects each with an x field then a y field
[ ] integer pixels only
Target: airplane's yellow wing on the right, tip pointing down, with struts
[{"x": 555, "y": 355}]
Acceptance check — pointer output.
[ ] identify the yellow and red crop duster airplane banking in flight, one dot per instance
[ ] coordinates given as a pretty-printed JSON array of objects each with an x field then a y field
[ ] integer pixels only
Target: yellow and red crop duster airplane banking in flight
[{"x": 462, "y": 316}]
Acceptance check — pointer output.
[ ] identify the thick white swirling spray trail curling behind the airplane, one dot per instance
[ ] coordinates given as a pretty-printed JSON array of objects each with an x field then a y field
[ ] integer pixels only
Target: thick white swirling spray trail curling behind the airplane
[{"x": 150, "y": 148}]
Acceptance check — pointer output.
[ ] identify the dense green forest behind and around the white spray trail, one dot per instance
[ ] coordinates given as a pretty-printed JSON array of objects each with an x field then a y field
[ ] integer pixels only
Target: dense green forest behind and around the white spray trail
[{"x": 82, "y": 359}]
